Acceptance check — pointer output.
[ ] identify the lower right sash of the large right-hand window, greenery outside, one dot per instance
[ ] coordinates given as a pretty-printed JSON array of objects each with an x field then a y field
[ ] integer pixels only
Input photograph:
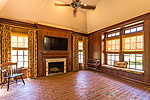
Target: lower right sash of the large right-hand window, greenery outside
[{"x": 135, "y": 61}]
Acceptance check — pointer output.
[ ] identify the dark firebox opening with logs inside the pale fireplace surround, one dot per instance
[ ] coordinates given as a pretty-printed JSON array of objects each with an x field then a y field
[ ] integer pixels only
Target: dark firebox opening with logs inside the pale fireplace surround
[{"x": 55, "y": 67}]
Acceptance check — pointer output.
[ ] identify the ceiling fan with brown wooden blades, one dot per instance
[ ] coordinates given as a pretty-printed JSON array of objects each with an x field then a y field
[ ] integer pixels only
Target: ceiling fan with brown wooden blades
[{"x": 77, "y": 4}]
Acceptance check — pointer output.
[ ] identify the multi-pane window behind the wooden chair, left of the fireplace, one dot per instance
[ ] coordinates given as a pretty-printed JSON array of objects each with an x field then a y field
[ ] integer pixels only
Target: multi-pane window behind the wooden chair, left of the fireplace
[{"x": 19, "y": 50}]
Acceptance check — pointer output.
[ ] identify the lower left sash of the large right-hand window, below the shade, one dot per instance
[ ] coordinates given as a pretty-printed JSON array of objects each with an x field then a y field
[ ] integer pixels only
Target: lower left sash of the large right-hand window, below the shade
[{"x": 111, "y": 58}]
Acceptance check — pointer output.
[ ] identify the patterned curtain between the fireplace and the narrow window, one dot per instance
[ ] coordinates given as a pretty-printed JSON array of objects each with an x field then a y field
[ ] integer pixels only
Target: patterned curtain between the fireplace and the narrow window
[{"x": 75, "y": 53}]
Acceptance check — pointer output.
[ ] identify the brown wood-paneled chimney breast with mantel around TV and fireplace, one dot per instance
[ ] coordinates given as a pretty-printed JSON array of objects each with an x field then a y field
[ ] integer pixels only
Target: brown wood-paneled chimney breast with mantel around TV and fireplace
[{"x": 43, "y": 54}]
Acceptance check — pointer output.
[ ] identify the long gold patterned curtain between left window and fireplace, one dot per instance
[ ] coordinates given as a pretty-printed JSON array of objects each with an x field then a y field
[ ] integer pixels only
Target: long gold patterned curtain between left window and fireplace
[{"x": 32, "y": 53}]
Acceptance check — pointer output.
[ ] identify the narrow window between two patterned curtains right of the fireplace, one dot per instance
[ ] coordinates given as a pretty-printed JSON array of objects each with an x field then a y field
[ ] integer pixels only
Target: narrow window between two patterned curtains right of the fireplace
[{"x": 80, "y": 52}]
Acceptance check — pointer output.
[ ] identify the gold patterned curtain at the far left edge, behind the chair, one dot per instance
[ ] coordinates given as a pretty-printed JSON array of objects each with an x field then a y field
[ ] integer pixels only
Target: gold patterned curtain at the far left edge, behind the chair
[{"x": 6, "y": 43}]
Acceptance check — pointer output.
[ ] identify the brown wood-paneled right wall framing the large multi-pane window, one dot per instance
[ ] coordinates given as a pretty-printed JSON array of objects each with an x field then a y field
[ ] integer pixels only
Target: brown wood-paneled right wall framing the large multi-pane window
[{"x": 95, "y": 50}]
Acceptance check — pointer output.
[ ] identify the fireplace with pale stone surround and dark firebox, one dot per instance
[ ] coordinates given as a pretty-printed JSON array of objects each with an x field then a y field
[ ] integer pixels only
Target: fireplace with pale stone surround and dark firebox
[{"x": 55, "y": 66}]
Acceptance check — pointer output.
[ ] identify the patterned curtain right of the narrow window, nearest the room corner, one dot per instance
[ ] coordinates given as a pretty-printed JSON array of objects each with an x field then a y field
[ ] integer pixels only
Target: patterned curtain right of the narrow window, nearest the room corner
[{"x": 85, "y": 52}]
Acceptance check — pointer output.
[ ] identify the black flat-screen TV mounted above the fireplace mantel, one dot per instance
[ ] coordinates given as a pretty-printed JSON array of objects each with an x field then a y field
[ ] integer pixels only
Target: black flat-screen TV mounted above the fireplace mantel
[{"x": 55, "y": 43}]
